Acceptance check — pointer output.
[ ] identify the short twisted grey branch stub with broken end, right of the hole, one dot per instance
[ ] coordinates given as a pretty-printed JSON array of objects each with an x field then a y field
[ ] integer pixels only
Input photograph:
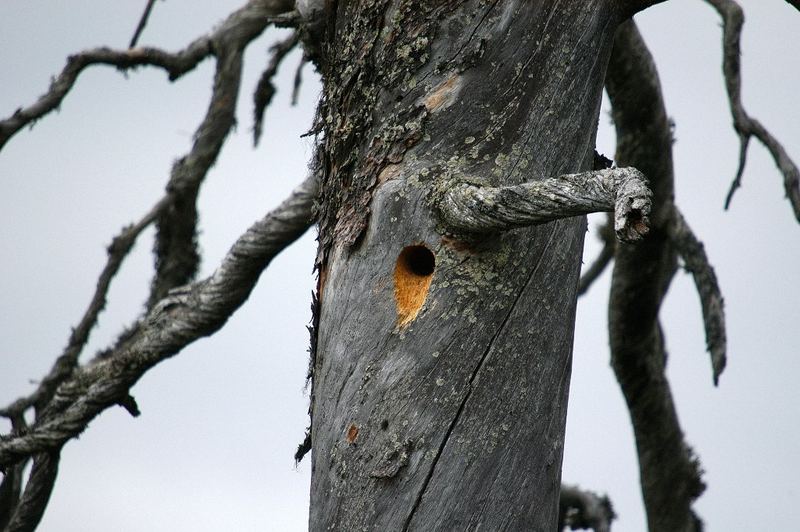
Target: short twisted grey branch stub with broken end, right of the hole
[{"x": 480, "y": 209}]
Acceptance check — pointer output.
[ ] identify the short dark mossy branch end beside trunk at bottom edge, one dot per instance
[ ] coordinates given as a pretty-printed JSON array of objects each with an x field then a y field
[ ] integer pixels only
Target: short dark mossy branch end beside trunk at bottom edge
[{"x": 582, "y": 509}]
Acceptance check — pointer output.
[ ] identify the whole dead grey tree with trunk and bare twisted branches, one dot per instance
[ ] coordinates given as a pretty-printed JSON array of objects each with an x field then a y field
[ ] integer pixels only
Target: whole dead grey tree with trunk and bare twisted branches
[{"x": 455, "y": 159}]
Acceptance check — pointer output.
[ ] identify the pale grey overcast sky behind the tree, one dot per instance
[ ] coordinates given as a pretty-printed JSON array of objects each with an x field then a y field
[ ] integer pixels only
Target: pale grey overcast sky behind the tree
[{"x": 213, "y": 448}]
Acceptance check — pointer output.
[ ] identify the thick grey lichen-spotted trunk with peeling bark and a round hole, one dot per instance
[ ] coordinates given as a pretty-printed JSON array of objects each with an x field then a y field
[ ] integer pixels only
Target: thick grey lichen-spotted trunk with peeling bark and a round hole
[{"x": 442, "y": 363}]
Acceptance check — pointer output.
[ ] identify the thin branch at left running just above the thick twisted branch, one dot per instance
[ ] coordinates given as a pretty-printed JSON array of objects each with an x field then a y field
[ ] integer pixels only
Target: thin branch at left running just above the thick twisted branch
[{"x": 64, "y": 365}]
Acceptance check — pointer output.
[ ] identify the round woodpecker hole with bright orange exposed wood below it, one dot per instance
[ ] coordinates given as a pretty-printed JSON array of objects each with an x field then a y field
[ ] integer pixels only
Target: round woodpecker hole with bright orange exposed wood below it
[{"x": 412, "y": 279}]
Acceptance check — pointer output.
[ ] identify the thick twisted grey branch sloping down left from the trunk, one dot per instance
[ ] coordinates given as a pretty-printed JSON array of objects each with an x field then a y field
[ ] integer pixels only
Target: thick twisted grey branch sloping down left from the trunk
[{"x": 183, "y": 316}]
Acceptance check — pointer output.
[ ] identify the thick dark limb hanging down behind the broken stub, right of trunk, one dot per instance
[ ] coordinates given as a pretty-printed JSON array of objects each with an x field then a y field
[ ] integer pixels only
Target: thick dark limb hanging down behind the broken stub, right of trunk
[{"x": 670, "y": 474}]
